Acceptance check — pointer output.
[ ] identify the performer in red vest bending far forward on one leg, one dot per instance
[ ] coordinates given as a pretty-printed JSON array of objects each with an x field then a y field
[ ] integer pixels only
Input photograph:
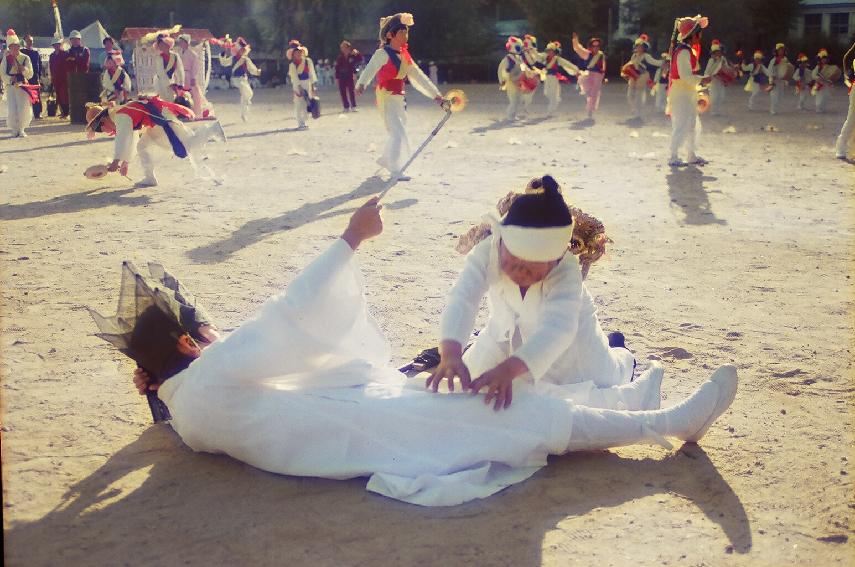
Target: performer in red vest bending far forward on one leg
[{"x": 142, "y": 125}]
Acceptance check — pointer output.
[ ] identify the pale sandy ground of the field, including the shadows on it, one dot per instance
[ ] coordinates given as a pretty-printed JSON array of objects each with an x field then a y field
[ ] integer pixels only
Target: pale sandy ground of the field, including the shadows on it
[{"x": 746, "y": 261}]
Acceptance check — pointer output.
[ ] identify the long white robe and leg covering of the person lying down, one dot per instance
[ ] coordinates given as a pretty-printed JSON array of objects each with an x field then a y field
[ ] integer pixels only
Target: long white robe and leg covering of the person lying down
[{"x": 305, "y": 389}]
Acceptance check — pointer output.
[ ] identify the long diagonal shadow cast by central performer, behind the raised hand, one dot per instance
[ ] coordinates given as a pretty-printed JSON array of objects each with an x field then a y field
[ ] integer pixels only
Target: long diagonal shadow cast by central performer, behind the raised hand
[{"x": 259, "y": 229}]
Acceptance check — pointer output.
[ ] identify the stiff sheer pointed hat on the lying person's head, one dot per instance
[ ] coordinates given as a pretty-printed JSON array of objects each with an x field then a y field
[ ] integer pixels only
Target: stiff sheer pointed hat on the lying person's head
[{"x": 151, "y": 316}]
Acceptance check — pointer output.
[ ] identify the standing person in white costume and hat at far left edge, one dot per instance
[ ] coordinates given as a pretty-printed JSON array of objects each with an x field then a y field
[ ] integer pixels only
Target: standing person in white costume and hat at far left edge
[{"x": 15, "y": 71}]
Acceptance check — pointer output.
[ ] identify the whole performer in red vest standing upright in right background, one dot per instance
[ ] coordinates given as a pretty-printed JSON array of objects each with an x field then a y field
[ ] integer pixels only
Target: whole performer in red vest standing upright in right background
[{"x": 683, "y": 93}]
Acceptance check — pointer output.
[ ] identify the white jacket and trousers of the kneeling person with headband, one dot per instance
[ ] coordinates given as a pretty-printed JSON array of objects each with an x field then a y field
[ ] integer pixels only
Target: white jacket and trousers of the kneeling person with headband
[{"x": 554, "y": 329}]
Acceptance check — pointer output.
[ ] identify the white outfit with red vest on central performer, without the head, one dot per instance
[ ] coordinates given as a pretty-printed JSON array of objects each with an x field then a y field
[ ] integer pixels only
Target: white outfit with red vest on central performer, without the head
[{"x": 390, "y": 99}]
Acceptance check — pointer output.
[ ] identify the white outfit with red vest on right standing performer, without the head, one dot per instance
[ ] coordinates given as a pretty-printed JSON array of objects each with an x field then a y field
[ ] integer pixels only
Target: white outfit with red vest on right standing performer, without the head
[{"x": 683, "y": 99}]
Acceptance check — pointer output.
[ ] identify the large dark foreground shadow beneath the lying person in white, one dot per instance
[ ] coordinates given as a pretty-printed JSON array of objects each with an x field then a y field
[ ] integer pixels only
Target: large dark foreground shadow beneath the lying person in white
[{"x": 156, "y": 503}]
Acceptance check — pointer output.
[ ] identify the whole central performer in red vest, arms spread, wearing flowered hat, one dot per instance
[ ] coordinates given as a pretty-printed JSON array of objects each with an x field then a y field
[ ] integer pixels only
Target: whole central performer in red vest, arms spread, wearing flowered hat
[{"x": 392, "y": 64}]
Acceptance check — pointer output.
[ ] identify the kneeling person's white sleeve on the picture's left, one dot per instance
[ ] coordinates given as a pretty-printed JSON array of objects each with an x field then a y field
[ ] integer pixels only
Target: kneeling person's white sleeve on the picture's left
[{"x": 464, "y": 299}]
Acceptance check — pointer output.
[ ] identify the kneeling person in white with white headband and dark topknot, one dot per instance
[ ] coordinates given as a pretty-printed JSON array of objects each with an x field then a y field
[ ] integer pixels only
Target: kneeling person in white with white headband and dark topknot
[{"x": 549, "y": 323}]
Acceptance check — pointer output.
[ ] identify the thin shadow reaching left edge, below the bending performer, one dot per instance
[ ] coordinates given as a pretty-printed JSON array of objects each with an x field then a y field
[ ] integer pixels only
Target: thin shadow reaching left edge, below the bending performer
[{"x": 73, "y": 203}]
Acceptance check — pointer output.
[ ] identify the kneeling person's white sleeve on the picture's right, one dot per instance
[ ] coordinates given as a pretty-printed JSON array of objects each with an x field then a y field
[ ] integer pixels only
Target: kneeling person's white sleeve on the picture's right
[{"x": 559, "y": 323}]
